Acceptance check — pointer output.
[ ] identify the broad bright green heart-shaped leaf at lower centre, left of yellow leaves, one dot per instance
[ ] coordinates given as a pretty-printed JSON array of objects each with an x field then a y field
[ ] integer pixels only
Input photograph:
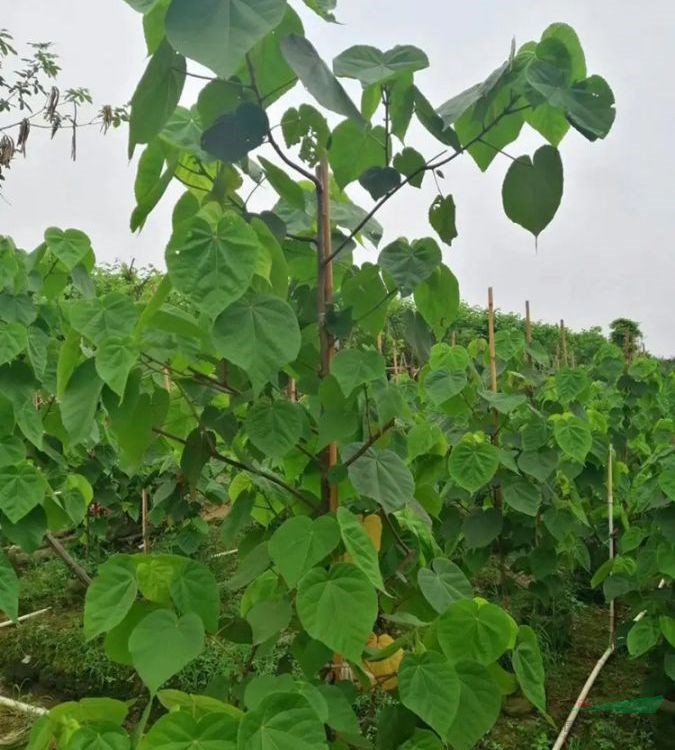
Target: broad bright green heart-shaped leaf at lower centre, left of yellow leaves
[{"x": 338, "y": 607}]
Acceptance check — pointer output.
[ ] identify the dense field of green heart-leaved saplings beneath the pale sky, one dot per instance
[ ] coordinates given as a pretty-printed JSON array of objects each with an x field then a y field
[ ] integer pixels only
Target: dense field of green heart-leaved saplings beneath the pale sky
[{"x": 289, "y": 492}]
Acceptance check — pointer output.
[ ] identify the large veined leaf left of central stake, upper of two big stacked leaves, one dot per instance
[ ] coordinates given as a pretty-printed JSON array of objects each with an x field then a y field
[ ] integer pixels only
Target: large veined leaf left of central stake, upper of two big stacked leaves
[{"x": 215, "y": 265}]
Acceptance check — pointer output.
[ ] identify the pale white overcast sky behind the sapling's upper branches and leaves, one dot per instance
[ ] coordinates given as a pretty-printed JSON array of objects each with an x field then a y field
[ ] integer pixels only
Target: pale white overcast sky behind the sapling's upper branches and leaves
[{"x": 609, "y": 251}]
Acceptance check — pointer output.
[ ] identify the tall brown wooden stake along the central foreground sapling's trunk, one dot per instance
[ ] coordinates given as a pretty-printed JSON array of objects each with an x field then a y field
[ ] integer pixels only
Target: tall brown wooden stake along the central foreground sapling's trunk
[{"x": 324, "y": 302}]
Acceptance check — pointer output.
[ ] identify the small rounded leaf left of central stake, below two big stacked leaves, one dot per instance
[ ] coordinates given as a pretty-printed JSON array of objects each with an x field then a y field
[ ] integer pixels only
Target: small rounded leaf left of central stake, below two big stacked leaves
[{"x": 274, "y": 428}]
